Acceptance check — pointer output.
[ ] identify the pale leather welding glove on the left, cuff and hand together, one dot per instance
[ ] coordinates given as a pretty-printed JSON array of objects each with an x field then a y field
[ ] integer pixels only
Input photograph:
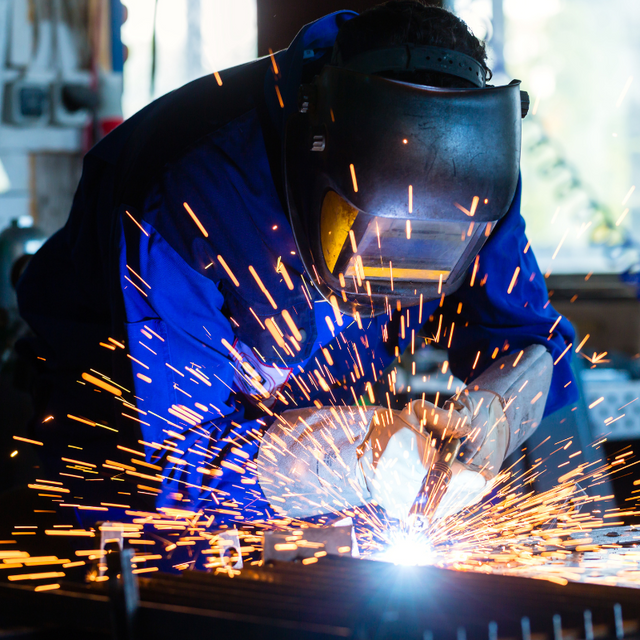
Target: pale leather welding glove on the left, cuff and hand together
[{"x": 313, "y": 461}]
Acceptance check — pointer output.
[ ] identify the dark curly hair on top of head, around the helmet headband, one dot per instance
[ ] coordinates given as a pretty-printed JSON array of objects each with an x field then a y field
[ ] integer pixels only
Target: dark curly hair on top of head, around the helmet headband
[{"x": 410, "y": 22}]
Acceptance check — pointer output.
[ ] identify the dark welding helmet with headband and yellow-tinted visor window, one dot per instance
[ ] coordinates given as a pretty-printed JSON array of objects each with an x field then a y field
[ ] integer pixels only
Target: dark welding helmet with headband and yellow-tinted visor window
[{"x": 393, "y": 187}]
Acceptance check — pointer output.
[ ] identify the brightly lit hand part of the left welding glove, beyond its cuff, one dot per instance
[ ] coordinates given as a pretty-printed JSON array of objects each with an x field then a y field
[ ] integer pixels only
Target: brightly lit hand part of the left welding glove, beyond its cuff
[{"x": 397, "y": 452}]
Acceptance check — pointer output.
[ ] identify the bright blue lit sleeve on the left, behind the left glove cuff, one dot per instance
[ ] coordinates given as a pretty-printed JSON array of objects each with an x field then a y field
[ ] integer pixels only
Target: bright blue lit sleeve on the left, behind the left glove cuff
[{"x": 194, "y": 423}]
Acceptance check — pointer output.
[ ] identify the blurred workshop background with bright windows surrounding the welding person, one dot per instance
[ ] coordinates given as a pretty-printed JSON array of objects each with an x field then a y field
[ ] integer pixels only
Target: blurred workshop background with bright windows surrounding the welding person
[{"x": 72, "y": 70}]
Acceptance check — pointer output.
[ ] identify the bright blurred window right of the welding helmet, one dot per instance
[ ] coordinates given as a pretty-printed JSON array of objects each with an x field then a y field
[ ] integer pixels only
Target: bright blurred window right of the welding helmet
[{"x": 581, "y": 151}]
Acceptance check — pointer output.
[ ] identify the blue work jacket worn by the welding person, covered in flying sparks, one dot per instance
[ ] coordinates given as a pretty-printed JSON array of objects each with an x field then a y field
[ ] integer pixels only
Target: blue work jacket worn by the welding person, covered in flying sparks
[{"x": 177, "y": 276}]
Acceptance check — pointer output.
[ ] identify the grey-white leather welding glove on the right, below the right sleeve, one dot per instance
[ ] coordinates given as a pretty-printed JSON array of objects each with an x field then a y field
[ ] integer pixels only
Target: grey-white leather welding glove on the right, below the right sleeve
[{"x": 503, "y": 406}]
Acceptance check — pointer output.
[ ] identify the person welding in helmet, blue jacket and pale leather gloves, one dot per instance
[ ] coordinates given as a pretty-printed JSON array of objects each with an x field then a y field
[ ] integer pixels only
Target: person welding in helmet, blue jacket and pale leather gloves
[{"x": 247, "y": 255}]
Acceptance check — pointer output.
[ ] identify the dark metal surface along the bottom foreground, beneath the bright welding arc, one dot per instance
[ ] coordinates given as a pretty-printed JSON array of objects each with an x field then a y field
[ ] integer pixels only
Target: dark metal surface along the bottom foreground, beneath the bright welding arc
[{"x": 339, "y": 597}]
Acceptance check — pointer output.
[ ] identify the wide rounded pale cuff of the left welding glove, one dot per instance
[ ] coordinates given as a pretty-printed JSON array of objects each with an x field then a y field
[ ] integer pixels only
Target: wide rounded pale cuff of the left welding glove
[{"x": 307, "y": 462}]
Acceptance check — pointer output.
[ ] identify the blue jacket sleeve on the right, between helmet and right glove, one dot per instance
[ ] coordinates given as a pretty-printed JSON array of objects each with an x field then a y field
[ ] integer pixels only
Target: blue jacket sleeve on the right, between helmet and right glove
[{"x": 494, "y": 317}]
